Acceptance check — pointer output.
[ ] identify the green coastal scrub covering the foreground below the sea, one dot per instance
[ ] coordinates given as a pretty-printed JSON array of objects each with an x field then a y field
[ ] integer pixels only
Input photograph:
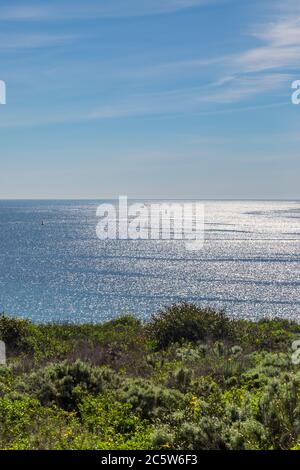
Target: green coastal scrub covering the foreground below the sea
[{"x": 190, "y": 378}]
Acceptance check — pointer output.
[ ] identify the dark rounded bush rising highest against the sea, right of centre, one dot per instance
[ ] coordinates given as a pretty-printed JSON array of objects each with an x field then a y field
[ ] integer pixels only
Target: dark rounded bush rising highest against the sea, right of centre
[{"x": 186, "y": 322}]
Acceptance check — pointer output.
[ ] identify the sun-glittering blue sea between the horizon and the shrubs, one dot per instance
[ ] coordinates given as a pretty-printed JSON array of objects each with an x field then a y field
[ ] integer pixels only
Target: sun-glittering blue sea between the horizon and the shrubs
[{"x": 60, "y": 271}]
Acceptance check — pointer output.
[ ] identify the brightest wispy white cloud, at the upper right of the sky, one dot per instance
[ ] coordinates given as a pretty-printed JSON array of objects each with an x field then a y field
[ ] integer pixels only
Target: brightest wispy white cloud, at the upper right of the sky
[{"x": 260, "y": 69}]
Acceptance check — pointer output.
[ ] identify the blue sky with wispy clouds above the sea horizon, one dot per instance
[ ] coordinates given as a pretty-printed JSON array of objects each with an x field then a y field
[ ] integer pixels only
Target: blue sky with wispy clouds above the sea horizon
[{"x": 149, "y": 99}]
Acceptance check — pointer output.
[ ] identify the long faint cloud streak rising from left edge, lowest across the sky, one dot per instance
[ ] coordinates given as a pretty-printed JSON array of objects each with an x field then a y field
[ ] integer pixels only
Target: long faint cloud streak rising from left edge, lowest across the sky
[{"x": 165, "y": 104}]
